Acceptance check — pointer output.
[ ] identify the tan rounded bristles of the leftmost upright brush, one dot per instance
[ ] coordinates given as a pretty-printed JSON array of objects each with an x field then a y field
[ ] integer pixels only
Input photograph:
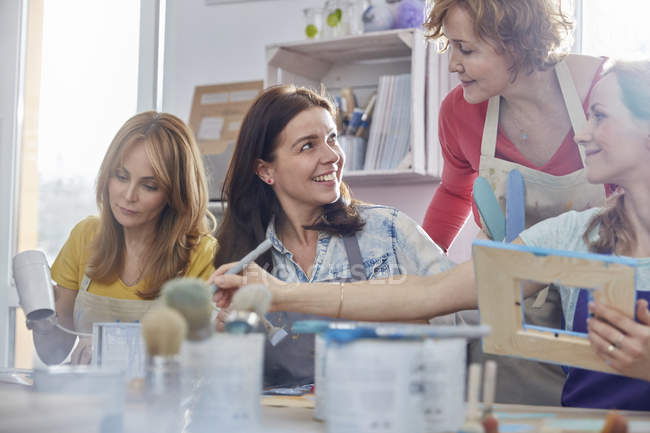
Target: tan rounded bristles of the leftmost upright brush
[{"x": 163, "y": 330}]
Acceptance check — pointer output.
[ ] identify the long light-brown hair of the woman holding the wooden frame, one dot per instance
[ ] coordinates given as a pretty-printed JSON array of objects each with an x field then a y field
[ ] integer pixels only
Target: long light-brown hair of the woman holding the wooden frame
[{"x": 615, "y": 231}]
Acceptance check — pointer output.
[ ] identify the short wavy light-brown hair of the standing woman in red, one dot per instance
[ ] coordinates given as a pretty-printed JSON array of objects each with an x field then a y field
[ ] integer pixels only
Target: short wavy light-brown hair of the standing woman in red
[{"x": 537, "y": 33}]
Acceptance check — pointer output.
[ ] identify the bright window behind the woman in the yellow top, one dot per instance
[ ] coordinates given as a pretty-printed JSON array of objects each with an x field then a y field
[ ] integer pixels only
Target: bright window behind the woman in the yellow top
[{"x": 87, "y": 65}]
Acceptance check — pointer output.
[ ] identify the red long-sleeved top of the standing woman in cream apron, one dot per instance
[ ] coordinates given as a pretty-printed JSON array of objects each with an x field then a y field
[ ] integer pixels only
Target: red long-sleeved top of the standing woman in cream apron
[{"x": 460, "y": 126}]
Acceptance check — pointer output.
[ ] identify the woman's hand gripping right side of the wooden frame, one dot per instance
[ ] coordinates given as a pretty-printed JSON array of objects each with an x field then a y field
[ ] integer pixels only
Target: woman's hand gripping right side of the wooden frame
[{"x": 620, "y": 341}]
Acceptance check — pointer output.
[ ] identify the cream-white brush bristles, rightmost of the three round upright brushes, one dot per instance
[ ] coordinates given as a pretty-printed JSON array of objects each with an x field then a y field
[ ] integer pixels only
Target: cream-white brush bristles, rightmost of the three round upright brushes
[{"x": 255, "y": 298}]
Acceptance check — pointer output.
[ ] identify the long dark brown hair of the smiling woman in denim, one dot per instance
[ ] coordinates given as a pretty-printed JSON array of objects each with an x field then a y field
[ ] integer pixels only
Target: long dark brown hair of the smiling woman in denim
[{"x": 250, "y": 202}]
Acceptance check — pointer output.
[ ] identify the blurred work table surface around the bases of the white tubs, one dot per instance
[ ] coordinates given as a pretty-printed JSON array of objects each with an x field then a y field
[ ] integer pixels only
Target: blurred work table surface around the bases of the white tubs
[{"x": 22, "y": 411}]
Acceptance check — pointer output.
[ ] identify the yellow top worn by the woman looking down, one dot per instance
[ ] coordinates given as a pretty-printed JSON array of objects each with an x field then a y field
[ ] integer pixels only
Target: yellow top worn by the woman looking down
[{"x": 69, "y": 267}]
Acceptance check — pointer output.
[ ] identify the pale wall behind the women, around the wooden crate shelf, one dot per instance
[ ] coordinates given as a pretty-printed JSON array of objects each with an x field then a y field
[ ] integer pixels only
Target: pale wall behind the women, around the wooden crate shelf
[{"x": 225, "y": 43}]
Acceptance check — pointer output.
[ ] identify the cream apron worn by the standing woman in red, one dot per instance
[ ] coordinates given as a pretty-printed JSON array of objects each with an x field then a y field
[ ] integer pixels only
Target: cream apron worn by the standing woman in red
[{"x": 521, "y": 381}]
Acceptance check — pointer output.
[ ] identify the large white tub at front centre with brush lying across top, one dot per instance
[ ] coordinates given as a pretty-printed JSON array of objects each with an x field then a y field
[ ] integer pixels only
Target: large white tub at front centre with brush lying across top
[{"x": 375, "y": 385}]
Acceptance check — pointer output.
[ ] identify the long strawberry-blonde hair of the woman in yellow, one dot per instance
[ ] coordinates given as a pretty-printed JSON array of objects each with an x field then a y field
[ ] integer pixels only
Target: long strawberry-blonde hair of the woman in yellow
[{"x": 178, "y": 169}]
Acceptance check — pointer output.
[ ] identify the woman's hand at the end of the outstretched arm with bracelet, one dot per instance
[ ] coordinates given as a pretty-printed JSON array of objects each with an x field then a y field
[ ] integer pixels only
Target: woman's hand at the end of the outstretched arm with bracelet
[{"x": 228, "y": 284}]
